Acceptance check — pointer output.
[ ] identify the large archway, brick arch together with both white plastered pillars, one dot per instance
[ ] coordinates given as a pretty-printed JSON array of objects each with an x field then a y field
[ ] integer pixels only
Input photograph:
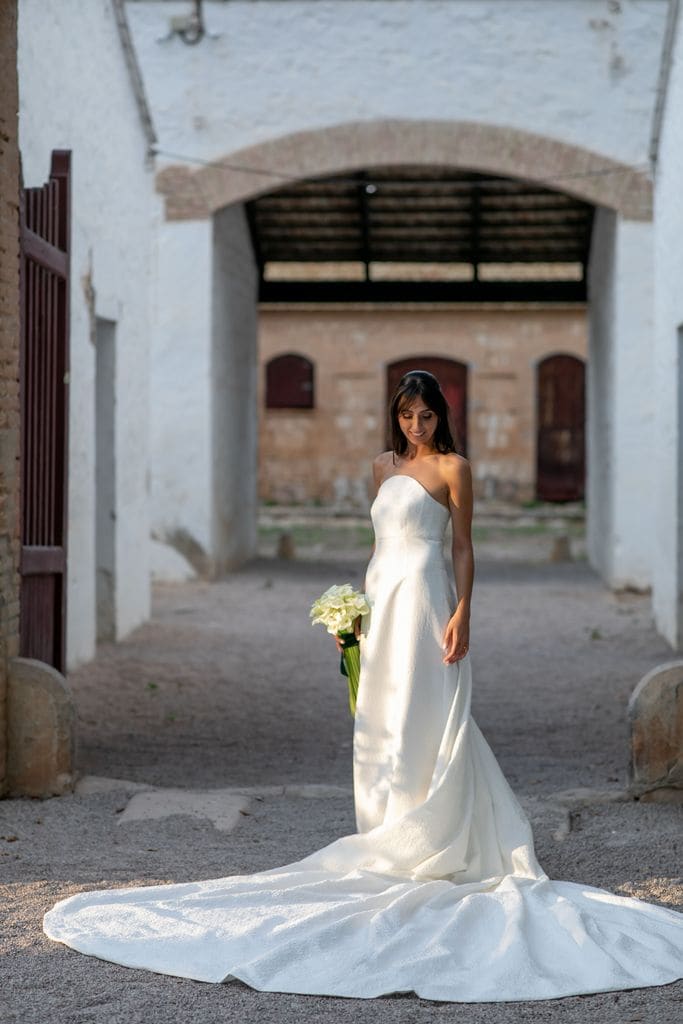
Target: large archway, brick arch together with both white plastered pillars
[{"x": 206, "y": 242}]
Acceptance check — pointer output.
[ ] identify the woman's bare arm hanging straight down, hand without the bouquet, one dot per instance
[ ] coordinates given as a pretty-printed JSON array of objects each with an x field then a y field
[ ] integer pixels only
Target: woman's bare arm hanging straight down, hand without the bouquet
[{"x": 457, "y": 634}]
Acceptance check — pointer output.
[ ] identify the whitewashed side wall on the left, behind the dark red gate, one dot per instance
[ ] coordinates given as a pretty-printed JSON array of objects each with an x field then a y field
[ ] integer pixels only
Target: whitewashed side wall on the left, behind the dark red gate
[{"x": 75, "y": 94}]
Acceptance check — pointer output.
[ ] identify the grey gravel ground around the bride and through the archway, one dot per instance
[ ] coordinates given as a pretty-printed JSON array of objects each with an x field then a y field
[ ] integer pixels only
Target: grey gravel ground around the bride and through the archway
[{"x": 230, "y": 687}]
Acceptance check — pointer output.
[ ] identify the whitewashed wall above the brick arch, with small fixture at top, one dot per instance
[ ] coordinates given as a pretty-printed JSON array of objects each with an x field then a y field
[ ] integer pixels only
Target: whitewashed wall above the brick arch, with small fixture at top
[{"x": 584, "y": 72}]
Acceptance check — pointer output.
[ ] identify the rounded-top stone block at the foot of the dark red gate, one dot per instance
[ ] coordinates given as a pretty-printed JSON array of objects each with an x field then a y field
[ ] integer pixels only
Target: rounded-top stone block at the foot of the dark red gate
[{"x": 40, "y": 731}]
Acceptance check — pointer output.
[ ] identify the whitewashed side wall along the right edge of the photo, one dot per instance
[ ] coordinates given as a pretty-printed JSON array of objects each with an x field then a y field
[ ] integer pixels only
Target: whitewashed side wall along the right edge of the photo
[{"x": 667, "y": 521}]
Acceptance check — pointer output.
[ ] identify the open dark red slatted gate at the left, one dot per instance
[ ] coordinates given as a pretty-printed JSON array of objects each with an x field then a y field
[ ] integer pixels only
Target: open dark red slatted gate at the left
[{"x": 45, "y": 390}]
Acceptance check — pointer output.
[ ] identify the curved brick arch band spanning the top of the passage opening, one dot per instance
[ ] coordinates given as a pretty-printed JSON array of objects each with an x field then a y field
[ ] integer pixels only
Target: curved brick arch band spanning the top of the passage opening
[{"x": 197, "y": 194}]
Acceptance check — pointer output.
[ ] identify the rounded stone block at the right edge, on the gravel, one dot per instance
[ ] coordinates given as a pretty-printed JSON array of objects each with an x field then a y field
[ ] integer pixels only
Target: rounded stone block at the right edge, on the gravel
[{"x": 656, "y": 717}]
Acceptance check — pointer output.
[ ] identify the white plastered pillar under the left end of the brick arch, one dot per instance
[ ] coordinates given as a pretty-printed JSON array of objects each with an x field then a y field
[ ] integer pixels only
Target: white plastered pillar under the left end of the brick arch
[{"x": 204, "y": 411}]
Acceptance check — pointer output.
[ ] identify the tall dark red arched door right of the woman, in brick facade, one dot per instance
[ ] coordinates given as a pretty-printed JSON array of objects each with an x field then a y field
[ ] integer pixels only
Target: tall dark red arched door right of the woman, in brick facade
[{"x": 562, "y": 413}]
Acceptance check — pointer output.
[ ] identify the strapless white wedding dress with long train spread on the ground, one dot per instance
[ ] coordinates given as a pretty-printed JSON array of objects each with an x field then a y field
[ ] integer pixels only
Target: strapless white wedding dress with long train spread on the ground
[{"x": 440, "y": 892}]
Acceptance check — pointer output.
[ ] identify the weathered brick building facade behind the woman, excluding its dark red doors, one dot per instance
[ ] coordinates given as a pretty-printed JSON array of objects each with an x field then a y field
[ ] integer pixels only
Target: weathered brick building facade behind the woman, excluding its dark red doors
[{"x": 325, "y": 453}]
